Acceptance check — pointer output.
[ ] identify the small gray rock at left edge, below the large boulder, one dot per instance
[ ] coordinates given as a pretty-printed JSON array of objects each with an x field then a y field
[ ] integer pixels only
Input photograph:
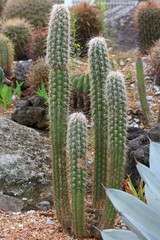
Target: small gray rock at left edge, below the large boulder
[{"x": 8, "y": 203}]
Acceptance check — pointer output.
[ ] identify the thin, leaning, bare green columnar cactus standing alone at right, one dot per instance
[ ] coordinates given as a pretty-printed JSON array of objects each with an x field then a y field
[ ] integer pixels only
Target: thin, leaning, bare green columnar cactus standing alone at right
[{"x": 142, "y": 90}]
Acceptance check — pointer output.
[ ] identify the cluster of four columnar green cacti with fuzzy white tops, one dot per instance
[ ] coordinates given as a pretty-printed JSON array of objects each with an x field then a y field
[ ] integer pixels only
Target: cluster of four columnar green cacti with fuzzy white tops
[{"x": 109, "y": 118}]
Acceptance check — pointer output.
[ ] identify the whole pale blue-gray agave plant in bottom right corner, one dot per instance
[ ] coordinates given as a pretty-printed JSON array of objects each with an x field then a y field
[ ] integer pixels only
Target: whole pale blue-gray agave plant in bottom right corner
[{"x": 142, "y": 219}]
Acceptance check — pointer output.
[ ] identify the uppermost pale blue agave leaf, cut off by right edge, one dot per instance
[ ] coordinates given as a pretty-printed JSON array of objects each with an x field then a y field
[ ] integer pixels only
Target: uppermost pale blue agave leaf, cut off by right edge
[{"x": 155, "y": 158}]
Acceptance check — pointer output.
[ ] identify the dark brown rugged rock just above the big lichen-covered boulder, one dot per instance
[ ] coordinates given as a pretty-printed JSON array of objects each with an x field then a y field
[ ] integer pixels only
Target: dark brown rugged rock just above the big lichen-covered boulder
[{"x": 32, "y": 112}]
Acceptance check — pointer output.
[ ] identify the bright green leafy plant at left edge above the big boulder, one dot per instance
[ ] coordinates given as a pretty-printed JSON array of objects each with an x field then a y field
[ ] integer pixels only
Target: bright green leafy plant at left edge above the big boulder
[{"x": 5, "y": 95}]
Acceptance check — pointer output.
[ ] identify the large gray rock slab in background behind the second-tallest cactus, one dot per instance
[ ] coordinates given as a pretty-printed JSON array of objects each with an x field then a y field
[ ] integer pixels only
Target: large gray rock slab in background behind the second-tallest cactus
[{"x": 120, "y": 28}]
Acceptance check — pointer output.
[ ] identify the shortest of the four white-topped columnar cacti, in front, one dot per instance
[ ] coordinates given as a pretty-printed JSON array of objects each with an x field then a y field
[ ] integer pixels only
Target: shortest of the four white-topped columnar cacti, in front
[{"x": 76, "y": 145}]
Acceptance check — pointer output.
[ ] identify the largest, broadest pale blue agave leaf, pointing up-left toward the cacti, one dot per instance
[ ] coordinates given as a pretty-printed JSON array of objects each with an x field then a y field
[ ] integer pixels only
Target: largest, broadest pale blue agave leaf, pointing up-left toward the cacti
[{"x": 144, "y": 217}]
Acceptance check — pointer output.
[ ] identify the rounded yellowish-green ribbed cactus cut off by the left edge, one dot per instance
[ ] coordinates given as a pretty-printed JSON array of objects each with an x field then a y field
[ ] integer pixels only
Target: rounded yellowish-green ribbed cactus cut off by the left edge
[{"x": 6, "y": 54}]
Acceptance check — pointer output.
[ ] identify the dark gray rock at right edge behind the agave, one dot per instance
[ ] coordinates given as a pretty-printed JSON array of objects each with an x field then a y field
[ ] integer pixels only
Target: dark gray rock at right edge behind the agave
[{"x": 138, "y": 150}]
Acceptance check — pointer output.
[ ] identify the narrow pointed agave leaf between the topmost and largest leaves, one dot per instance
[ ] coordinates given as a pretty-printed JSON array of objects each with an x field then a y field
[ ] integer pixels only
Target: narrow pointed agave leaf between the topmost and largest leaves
[{"x": 150, "y": 179}]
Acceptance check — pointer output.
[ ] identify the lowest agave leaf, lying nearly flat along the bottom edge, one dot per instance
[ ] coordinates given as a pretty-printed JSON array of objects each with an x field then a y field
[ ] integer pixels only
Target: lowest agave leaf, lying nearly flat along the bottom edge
[{"x": 111, "y": 234}]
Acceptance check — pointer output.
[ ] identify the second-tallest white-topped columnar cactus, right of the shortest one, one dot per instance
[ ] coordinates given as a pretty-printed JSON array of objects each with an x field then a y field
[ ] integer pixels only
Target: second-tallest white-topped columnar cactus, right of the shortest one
[{"x": 99, "y": 67}]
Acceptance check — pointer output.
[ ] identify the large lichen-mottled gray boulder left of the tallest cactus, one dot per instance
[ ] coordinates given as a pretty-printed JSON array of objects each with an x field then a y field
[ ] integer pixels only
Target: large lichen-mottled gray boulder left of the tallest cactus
[{"x": 25, "y": 168}]
